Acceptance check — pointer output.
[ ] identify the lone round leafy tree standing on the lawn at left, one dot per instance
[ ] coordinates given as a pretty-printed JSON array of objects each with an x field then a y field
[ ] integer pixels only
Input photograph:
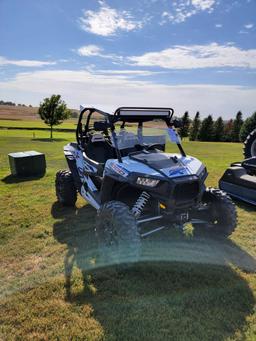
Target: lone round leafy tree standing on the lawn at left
[{"x": 53, "y": 111}]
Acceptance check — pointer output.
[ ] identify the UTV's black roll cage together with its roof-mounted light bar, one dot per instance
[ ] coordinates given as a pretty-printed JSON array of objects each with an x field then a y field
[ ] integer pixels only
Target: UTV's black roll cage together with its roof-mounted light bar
[{"x": 123, "y": 115}]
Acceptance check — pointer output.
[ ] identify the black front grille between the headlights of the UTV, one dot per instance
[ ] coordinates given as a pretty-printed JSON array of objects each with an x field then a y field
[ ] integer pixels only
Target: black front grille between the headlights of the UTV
[{"x": 184, "y": 192}]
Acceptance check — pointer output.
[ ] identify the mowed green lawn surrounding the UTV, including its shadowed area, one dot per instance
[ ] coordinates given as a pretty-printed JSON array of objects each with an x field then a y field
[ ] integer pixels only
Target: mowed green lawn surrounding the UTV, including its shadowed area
[{"x": 181, "y": 289}]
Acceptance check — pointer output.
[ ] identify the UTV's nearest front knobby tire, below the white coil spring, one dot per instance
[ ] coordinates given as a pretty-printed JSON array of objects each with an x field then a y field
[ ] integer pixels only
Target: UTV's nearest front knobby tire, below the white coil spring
[{"x": 117, "y": 232}]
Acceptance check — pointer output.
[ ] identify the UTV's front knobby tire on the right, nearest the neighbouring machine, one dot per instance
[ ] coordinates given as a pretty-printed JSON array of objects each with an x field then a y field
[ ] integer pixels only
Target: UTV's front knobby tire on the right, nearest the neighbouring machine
[{"x": 221, "y": 213}]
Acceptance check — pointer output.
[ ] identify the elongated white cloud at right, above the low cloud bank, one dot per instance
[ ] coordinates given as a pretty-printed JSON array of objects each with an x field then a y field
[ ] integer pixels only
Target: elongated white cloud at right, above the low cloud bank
[{"x": 198, "y": 56}]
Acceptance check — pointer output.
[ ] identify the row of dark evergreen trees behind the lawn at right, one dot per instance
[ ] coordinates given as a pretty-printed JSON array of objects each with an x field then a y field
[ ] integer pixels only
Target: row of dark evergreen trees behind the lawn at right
[{"x": 233, "y": 130}]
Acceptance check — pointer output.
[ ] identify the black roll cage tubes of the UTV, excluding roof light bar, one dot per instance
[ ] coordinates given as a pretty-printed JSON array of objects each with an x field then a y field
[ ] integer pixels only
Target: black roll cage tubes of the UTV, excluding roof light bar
[{"x": 111, "y": 119}]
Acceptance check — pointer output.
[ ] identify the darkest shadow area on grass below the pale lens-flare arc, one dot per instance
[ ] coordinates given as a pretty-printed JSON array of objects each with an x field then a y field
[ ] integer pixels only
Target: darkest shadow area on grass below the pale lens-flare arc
[{"x": 169, "y": 301}]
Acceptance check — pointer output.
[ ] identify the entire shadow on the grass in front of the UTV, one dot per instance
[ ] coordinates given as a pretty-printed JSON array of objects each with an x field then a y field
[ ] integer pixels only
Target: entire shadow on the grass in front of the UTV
[{"x": 180, "y": 289}]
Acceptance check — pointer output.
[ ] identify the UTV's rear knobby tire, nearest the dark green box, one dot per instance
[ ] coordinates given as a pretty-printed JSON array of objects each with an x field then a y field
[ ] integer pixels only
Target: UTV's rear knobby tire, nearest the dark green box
[{"x": 65, "y": 188}]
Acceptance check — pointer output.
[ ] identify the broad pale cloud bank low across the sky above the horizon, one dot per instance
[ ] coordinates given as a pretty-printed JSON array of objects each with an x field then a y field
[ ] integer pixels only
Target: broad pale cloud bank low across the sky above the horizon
[{"x": 108, "y": 92}]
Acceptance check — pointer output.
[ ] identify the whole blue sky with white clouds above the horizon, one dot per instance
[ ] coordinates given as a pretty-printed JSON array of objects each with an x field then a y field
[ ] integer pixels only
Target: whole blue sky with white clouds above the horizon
[{"x": 187, "y": 54}]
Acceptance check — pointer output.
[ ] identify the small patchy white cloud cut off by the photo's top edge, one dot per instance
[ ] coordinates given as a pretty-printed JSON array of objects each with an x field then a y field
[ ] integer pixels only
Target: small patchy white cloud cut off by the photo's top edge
[{"x": 181, "y": 10}]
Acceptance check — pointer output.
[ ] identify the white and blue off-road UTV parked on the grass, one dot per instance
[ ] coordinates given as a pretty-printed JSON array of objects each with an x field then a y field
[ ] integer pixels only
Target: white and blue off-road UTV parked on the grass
[{"x": 127, "y": 176}]
